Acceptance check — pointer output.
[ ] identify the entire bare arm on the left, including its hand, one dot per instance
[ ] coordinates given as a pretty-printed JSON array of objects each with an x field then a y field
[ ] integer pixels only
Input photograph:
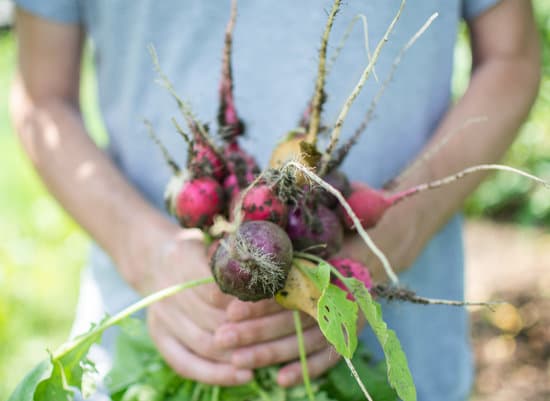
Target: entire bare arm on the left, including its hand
[{"x": 150, "y": 251}]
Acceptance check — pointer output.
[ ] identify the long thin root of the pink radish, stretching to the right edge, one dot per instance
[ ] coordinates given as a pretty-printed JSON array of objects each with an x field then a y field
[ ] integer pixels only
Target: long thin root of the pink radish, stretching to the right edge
[{"x": 398, "y": 197}]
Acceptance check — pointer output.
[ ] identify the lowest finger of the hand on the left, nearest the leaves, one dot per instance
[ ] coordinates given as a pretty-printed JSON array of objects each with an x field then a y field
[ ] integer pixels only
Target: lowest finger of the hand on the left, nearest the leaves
[{"x": 189, "y": 365}]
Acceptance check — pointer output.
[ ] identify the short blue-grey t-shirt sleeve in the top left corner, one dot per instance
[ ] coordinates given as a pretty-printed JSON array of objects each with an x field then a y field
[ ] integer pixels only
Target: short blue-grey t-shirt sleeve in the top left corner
[{"x": 64, "y": 11}]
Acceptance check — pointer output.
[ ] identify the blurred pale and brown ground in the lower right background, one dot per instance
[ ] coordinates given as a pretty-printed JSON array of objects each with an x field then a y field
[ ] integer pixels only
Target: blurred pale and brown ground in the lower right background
[{"x": 511, "y": 342}]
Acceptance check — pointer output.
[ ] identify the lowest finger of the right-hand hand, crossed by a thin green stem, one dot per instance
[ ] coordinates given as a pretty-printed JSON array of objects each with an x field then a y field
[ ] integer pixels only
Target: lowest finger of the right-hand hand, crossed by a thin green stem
[{"x": 317, "y": 364}]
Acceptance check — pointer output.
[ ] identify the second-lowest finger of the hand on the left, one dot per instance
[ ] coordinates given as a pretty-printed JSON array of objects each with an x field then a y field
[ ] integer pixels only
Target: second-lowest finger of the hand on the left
[{"x": 188, "y": 333}]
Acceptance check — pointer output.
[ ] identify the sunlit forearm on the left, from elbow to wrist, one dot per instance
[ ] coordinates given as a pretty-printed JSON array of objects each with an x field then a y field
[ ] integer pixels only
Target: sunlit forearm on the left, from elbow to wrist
[{"x": 84, "y": 180}]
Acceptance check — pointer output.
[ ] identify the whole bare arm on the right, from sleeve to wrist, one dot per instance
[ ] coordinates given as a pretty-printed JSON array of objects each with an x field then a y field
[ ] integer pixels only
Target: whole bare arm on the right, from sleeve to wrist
[{"x": 504, "y": 84}]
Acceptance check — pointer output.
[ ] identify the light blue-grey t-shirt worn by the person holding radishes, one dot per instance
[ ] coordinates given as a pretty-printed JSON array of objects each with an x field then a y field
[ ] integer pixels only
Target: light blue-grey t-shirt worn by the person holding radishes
[{"x": 275, "y": 58}]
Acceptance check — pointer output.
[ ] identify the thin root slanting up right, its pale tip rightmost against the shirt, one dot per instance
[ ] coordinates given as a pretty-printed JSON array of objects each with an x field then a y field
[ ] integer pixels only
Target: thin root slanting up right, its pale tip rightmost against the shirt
[{"x": 343, "y": 151}]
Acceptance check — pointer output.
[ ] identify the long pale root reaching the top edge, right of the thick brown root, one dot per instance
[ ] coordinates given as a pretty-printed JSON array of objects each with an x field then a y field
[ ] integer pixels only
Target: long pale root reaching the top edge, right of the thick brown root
[{"x": 335, "y": 135}]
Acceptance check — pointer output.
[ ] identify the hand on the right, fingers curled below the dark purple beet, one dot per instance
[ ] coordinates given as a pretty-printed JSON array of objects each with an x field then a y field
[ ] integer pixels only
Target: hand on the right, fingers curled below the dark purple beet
[{"x": 263, "y": 333}]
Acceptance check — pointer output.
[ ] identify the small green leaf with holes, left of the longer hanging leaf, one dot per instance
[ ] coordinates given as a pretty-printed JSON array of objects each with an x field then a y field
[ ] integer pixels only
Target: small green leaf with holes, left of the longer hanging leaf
[{"x": 337, "y": 317}]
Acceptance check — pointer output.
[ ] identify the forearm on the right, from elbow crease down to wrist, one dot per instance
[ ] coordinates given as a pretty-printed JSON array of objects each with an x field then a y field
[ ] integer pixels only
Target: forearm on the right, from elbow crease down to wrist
[{"x": 502, "y": 90}]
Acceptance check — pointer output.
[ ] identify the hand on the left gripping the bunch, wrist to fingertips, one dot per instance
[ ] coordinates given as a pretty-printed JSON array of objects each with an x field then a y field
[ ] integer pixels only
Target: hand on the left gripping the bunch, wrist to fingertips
[{"x": 182, "y": 326}]
